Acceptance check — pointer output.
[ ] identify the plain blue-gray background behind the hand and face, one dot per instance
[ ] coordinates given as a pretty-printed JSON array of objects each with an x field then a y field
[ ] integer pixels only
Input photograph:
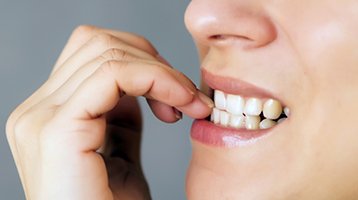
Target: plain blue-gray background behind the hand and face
[{"x": 32, "y": 35}]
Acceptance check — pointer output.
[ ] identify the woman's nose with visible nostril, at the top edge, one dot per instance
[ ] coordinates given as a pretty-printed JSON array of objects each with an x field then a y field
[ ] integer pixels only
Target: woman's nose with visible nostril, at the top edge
[{"x": 229, "y": 22}]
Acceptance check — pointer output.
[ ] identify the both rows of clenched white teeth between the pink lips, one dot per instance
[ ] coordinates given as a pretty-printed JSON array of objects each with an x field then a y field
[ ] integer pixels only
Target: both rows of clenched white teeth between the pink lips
[{"x": 237, "y": 112}]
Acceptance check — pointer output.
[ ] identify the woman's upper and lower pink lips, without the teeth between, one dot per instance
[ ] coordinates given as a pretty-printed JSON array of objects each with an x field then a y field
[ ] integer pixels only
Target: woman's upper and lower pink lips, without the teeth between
[{"x": 211, "y": 134}]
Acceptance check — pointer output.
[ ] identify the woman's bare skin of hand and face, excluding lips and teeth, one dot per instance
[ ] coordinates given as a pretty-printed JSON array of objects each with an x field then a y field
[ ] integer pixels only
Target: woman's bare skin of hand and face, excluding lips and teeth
[{"x": 301, "y": 51}]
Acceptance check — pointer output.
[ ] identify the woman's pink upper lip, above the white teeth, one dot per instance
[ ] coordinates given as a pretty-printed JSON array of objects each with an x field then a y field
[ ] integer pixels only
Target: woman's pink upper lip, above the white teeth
[{"x": 231, "y": 85}]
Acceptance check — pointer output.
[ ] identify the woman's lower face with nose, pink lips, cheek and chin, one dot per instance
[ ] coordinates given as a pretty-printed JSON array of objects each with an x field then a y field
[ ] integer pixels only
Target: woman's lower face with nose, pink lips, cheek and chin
[{"x": 303, "y": 53}]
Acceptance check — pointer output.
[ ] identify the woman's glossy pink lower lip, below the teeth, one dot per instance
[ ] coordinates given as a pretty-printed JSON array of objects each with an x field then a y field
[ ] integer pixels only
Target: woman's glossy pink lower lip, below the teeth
[{"x": 208, "y": 133}]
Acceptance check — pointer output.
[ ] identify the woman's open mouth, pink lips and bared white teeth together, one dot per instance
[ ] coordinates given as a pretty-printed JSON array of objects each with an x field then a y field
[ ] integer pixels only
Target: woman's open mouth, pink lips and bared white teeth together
[{"x": 242, "y": 113}]
